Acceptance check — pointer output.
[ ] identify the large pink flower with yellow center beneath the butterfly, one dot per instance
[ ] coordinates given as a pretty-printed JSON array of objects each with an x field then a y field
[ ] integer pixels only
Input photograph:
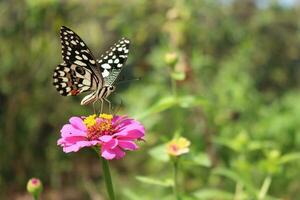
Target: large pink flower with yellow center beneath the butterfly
[{"x": 114, "y": 134}]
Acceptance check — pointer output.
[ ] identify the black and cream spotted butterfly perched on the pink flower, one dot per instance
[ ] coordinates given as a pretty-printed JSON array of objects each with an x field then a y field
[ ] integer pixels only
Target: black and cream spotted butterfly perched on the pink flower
[{"x": 81, "y": 72}]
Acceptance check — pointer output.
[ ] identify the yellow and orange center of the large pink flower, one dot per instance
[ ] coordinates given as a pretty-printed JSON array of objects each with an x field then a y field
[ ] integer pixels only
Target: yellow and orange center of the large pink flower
[{"x": 99, "y": 126}]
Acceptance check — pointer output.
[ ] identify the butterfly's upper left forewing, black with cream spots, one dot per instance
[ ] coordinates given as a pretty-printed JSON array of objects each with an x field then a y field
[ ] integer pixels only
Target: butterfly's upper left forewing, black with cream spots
[{"x": 76, "y": 52}]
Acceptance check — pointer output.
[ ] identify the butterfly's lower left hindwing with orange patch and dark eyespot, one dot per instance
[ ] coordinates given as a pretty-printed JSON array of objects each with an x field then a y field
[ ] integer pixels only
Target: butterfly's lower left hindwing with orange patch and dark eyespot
[{"x": 71, "y": 79}]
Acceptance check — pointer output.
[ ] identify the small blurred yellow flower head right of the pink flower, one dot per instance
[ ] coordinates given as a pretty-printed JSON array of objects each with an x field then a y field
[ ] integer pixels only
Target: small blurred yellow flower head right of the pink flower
[{"x": 178, "y": 146}]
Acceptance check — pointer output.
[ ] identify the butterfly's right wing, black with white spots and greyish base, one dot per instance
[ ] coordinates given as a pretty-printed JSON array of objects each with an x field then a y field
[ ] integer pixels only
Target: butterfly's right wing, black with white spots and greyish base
[{"x": 111, "y": 63}]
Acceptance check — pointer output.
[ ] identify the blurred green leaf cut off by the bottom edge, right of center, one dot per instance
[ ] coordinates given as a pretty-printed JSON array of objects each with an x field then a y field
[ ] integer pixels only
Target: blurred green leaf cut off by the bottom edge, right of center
[{"x": 209, "y": 193}]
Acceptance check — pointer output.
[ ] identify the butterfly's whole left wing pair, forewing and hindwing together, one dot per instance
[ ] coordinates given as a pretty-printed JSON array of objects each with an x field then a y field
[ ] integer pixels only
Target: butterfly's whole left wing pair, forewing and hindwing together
[{"x": 79, "y": 72}]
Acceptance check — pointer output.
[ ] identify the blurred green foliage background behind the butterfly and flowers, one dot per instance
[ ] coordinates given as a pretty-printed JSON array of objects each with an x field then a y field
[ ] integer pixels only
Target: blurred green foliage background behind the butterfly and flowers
[{"x": 224, "y": 74}]
